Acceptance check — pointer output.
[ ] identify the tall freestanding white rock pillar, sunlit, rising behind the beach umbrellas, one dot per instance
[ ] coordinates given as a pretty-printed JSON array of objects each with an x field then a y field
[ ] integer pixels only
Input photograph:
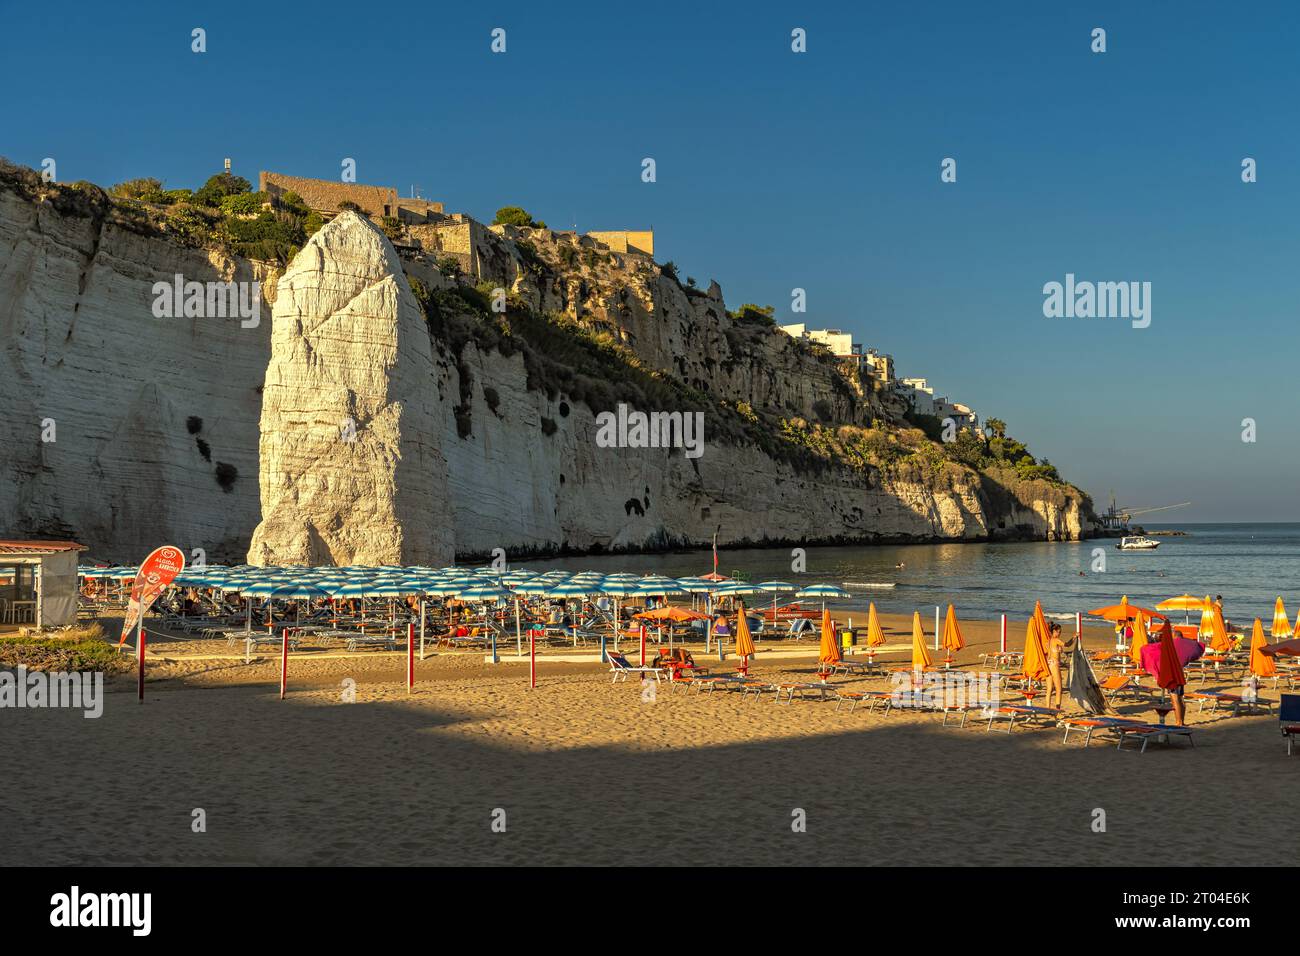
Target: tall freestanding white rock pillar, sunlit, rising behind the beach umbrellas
[{"x": 352, "y": 469}]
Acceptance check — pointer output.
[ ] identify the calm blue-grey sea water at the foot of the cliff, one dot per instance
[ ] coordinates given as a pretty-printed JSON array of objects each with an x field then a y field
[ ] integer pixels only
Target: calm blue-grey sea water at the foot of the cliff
[{"x": 1250, "y": 565}]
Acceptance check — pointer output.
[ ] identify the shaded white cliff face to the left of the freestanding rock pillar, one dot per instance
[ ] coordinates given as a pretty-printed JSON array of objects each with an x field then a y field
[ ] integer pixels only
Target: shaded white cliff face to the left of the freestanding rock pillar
[{"x": 124, "y": 430}]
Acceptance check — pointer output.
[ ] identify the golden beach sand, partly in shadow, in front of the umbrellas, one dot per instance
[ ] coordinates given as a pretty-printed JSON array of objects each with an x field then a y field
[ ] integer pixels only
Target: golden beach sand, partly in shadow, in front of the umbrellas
[{"x": 587, "y": 772}]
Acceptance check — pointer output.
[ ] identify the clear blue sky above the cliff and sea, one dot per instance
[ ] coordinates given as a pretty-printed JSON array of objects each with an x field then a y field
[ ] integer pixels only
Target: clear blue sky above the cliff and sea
[{"x": 816, "y": 171}]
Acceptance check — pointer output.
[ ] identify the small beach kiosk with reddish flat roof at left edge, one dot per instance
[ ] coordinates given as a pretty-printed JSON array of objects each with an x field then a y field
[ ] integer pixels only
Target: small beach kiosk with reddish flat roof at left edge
[{"x": 38, "y": 583}]
